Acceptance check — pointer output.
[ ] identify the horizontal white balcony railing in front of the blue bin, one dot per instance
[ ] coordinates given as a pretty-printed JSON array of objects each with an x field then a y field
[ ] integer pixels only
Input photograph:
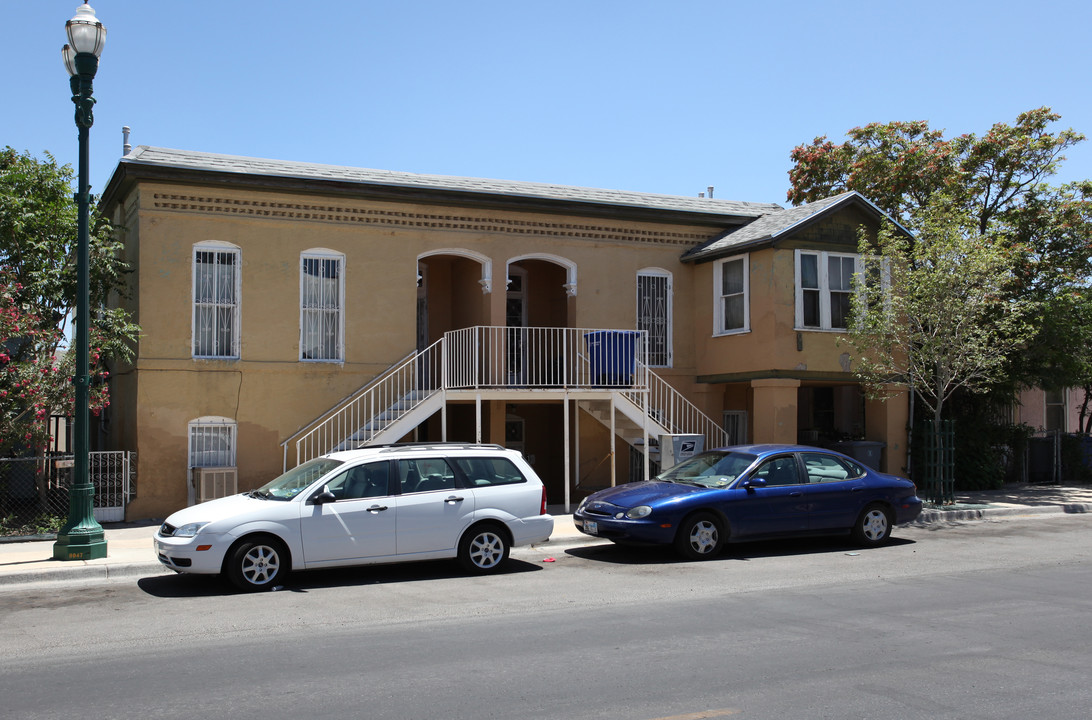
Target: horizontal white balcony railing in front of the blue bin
[{"x": 544, "y": 358}]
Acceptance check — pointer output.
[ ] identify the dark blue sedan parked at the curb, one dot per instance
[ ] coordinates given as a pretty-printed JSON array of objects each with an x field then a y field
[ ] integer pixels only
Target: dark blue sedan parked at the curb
[{"x": 750, "y": 493}]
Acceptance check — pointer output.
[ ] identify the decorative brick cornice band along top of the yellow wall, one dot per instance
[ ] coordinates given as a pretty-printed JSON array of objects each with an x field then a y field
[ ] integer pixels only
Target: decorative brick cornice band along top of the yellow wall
[{"x": 395, "y": 219}]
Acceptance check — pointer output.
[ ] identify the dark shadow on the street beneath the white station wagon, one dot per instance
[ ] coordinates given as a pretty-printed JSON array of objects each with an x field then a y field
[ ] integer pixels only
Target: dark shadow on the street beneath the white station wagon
[{"x": 212, "y": 586}]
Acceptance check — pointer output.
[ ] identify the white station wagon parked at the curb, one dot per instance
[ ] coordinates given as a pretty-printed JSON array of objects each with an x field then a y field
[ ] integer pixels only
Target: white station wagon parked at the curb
[{"x": 385, "y": 504}]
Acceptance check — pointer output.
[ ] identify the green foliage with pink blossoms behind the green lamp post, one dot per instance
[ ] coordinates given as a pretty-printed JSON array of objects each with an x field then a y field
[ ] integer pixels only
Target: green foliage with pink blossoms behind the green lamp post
[{"x": 38, "y": 297}]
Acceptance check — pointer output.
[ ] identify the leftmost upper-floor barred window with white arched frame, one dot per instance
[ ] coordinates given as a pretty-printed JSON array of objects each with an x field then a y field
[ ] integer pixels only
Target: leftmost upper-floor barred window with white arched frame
[{"x": 216, "y": 302}]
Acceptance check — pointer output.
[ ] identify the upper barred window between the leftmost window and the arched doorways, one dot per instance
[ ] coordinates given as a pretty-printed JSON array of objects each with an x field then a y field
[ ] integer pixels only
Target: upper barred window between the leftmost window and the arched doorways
[{"x": 322, "y": 293}]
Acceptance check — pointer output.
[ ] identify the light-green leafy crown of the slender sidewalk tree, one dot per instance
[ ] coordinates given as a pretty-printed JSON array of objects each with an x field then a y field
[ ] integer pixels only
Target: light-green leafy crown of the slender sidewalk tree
[{"x": 937, "y": 313}]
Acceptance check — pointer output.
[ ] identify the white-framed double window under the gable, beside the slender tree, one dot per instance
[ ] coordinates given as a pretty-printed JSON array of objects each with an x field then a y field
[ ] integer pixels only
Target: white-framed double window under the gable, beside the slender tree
[{"x": 825, "y": 290}]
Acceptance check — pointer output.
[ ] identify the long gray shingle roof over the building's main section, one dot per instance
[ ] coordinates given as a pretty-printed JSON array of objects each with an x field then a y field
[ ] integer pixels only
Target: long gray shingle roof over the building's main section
[{"x": 254, "y": 167}]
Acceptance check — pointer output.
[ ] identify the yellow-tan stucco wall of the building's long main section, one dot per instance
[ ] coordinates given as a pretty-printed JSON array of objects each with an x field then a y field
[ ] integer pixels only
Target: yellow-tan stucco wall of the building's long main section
[{"x": 268, "y": 392}]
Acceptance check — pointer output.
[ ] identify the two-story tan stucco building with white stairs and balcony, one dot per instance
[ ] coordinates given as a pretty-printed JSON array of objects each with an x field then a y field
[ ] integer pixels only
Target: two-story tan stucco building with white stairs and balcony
[{"x": 290, "y": 309}]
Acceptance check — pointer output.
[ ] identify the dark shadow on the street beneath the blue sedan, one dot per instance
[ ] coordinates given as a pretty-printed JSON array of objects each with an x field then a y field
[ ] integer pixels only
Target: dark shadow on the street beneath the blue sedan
[{"x": 744, "y": 551}]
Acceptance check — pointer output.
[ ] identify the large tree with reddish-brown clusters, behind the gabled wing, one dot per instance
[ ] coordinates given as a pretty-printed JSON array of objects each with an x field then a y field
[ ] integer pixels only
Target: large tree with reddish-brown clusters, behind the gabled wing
[{"x": 999, "y": 184}]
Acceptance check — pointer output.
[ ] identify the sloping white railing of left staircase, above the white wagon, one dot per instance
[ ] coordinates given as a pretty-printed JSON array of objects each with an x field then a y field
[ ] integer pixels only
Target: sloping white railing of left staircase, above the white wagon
[{"x": 373, "y": 409}]
